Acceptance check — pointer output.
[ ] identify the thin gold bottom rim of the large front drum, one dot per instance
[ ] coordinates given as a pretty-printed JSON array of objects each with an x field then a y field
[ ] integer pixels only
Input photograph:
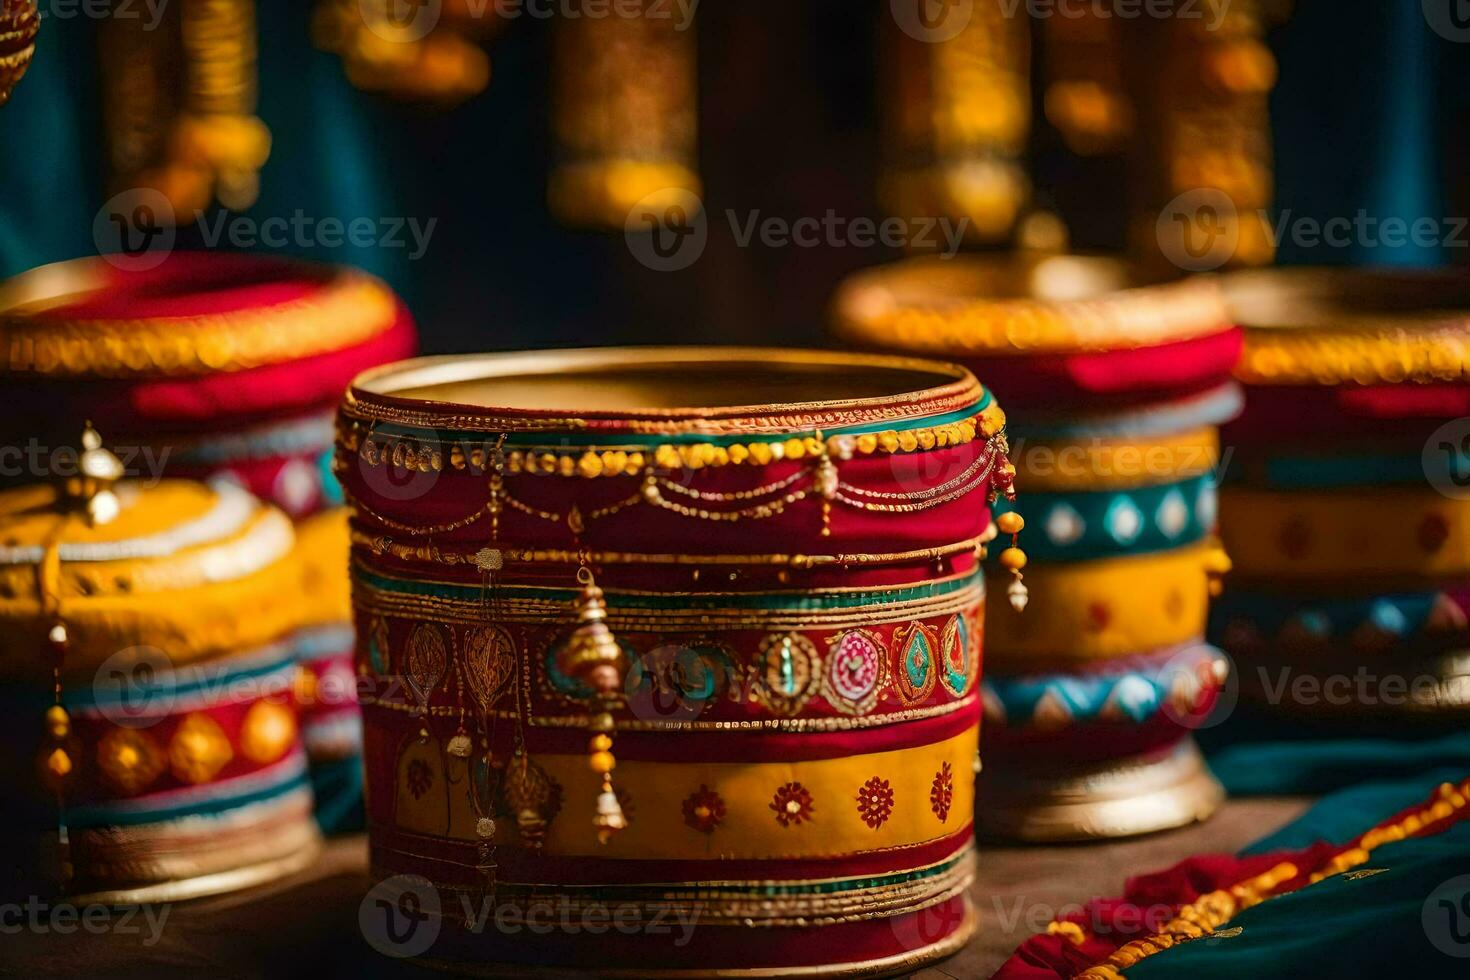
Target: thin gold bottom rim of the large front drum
[{"x": 894, "y": 966}]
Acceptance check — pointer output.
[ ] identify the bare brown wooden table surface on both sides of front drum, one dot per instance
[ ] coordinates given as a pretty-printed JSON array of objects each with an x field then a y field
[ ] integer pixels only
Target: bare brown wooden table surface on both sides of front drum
[{"x": 308, "y": 926}]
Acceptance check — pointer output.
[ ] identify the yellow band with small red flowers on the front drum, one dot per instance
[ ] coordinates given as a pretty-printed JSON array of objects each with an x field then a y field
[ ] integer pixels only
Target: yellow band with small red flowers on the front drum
[{"x": 814, "y": 809}]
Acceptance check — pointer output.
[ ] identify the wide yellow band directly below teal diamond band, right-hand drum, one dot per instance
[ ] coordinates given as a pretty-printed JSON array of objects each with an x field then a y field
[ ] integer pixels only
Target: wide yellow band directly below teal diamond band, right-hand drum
[{"x": 1099, "y": 610}]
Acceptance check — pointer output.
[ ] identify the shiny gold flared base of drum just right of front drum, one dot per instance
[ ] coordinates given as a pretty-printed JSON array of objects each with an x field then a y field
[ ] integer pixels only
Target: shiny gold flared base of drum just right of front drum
[{"x": 1121, "y": 799}]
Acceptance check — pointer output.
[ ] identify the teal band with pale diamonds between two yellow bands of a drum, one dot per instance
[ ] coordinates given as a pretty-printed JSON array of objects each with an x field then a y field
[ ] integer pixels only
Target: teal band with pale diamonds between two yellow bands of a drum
[{"x": 1115, "y": 524}]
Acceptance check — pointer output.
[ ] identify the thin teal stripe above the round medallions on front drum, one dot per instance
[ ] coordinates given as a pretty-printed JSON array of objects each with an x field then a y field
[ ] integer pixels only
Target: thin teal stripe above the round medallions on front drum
[{"x": 789, "y": 602}]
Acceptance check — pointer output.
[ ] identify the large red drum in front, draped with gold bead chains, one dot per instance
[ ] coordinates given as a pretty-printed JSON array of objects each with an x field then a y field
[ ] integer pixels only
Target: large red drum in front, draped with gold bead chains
[{"x": 684, "y": 640}]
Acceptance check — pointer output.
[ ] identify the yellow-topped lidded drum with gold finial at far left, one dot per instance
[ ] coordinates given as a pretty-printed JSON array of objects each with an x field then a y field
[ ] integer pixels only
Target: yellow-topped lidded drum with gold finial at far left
[{"x": 149, "y": 685}]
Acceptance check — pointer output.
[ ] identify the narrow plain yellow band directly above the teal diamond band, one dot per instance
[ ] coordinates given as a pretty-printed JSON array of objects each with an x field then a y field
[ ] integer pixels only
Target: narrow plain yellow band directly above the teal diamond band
[{"x": 1097, "y": 465}]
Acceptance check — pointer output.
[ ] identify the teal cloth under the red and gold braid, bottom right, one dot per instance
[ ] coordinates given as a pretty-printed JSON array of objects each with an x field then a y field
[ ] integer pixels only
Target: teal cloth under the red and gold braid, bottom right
[{"x": 1406, "y": 913}]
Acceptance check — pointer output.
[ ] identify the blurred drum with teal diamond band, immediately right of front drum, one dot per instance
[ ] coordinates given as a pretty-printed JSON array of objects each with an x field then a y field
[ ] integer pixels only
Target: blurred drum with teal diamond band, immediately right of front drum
[{"x": 1115, "y": 392}]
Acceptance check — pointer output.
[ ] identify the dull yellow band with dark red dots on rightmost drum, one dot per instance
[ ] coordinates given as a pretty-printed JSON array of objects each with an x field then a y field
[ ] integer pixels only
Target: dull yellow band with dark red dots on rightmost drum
[{"x": 1381, "y": 534}]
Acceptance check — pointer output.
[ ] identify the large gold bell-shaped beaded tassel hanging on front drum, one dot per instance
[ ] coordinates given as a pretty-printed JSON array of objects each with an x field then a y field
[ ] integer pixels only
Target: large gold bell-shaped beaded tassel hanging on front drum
[{"x": 593, "y": 657}]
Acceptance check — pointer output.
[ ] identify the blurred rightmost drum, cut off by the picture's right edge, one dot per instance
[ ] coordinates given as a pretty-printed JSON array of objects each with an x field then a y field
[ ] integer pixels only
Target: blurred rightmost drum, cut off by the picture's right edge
[{"x": 1349, "y": 506}]
